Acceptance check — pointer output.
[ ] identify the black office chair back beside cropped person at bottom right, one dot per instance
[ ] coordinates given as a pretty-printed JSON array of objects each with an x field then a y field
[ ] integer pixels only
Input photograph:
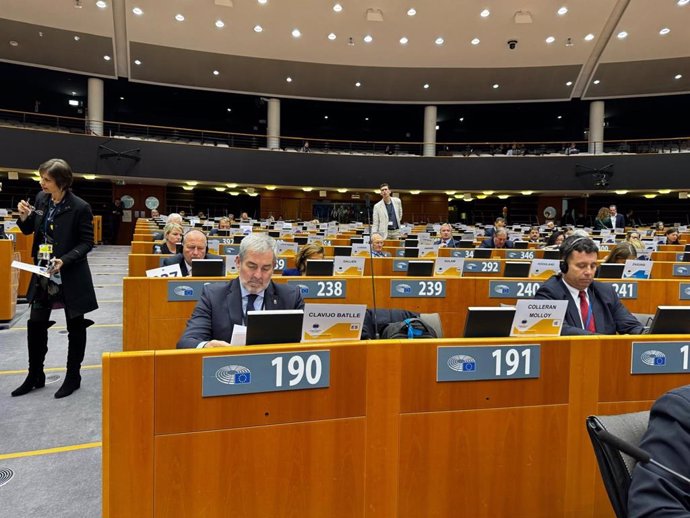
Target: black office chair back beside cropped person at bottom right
[{"x": 615, "y": 466}]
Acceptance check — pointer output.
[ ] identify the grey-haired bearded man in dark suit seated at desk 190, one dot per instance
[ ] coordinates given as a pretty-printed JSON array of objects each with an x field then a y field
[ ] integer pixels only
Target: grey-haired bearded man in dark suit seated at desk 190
[{"x": 221, "y": 306}]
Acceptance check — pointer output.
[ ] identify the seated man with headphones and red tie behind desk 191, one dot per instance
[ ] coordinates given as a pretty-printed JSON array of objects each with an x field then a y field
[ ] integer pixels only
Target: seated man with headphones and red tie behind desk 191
[{"x": 593, "y": 307}]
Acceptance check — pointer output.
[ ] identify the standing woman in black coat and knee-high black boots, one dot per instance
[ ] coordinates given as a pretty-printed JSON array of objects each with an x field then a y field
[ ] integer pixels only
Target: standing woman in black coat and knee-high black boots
[{"x": 62, "y": 225}]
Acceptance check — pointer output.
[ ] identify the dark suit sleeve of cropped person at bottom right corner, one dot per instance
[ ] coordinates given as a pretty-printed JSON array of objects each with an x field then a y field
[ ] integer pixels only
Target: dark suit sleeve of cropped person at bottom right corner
[{"x": 667, "y": 440}]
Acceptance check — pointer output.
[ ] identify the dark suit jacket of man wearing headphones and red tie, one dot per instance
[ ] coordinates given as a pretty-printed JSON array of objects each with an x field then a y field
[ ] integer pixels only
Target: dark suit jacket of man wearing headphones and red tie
[{"x": 610, "y": 315}]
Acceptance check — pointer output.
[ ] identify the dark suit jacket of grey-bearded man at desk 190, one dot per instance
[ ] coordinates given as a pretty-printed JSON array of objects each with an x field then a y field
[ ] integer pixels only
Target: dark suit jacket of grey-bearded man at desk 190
[{"x": 220, "y": 308}]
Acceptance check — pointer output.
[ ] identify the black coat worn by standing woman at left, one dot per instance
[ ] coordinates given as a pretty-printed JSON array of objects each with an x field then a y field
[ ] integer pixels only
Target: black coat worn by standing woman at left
[{"x": 73, "y": 240}]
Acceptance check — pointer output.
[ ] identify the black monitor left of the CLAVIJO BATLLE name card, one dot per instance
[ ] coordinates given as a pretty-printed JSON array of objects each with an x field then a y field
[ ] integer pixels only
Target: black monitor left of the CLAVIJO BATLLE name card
[{"x": 280, "y": 326}]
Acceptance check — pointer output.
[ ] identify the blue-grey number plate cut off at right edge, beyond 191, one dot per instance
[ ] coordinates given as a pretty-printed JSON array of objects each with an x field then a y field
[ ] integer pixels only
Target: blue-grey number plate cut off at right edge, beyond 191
[{"x": 660, "y": 357}]
